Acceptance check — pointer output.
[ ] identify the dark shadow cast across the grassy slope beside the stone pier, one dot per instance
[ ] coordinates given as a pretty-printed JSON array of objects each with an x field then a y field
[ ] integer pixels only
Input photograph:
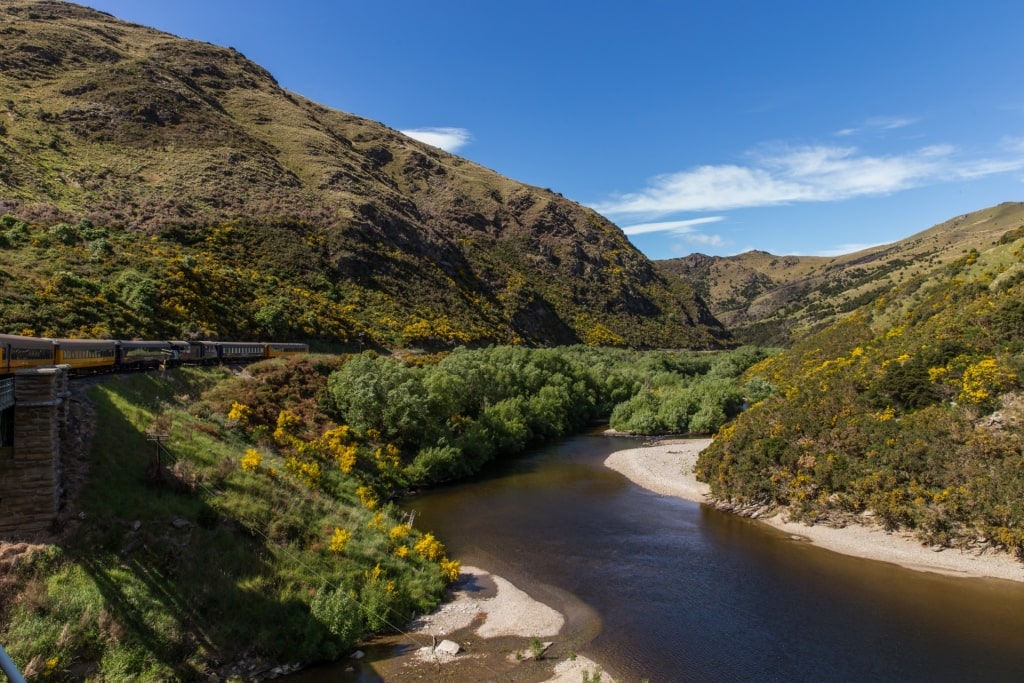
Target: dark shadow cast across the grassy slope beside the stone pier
[{"x": 190, "y": 588}]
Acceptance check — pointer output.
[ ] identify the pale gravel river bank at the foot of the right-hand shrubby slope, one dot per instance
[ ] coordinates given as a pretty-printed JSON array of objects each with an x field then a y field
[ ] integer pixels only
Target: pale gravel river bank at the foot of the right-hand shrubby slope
[{"x": 667, "y": 468}]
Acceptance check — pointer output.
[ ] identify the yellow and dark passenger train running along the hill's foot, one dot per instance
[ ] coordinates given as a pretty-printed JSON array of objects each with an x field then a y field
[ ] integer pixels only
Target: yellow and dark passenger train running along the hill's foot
[{"x": 86, "y": 357}]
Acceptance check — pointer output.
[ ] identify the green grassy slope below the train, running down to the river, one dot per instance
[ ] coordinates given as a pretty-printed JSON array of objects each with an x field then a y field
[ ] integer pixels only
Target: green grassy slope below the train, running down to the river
[{"x": 179, "y": 577}]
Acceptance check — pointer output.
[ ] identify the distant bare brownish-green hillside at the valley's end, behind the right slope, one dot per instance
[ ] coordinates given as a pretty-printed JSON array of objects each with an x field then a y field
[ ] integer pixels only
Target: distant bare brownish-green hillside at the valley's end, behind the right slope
[{"x": 775, "y": 301}]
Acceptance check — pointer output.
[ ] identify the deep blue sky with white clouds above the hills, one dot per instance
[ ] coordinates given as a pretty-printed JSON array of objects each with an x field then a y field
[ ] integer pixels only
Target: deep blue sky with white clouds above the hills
[{"x": 796, "y": 127}]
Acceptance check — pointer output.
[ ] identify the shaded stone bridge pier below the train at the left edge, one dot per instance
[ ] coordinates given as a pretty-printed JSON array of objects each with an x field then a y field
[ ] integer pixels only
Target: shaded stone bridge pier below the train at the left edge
[{"x": 34, "y": 411}]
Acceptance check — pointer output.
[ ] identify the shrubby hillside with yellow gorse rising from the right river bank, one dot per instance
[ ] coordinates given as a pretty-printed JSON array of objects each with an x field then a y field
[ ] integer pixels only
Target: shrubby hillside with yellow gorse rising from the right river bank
[{"x": 907, "y": 413}]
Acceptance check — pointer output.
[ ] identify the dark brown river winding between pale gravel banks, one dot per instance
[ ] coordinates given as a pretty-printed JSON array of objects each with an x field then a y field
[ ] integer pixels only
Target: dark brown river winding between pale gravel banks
[{"x": 663, "y": 589}]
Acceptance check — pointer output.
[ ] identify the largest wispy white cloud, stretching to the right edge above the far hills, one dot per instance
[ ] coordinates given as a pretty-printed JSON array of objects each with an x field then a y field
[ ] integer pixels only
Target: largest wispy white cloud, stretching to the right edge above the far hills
[{"x": 786, "y": 176}]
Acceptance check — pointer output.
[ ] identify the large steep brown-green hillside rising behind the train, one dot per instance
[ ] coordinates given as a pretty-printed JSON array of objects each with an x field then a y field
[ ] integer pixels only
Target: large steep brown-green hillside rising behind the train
[{"x": 239, "y": 208}]
